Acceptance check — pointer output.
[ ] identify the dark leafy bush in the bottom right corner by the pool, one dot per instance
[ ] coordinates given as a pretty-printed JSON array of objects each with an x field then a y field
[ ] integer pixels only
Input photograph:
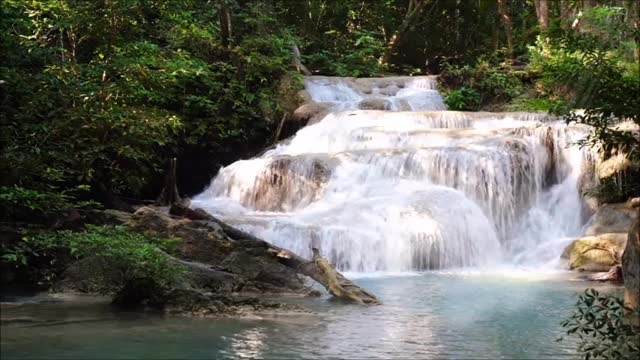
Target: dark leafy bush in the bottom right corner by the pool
[{"x": 599, "y": 322}]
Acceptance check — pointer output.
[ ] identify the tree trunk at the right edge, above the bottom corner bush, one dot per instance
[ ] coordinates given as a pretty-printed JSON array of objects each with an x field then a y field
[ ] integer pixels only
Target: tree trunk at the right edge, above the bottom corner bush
[{"x": 631, "y": 268}]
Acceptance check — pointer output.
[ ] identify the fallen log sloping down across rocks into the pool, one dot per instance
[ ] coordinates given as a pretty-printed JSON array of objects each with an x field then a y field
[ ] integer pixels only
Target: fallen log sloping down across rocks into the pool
[{"x": 318, "y": 268}]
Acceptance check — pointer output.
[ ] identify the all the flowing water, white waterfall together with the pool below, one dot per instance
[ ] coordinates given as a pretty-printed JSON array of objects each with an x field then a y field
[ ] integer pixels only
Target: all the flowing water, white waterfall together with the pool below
[{"x": 484, "y": 201}]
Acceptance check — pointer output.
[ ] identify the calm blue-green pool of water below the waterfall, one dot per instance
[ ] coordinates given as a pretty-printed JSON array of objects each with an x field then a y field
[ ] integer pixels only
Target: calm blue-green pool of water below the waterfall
[{"x": 429, "y": 315}]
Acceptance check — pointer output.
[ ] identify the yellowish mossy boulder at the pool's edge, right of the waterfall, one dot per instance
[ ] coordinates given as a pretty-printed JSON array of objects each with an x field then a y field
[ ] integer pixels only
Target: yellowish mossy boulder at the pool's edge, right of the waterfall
[{"x": 595, "y": 253}]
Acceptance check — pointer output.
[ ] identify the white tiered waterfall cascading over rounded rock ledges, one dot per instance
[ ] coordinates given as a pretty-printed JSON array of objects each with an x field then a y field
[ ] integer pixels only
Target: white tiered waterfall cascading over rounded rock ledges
[{"x": 411, "y": 186}]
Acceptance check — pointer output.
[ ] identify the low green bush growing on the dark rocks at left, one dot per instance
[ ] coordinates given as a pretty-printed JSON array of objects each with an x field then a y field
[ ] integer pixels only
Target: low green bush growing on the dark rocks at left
[{"x": 125, "y": 257}]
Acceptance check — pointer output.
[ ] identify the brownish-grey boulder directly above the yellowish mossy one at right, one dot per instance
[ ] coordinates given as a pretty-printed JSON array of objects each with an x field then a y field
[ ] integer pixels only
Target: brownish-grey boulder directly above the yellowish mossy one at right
[{"x": 611, "y": 218}]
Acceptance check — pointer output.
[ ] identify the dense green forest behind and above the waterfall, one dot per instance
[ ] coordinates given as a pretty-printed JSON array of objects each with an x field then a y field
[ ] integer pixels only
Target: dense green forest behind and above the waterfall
[{"x": 96, "y": 96}]
